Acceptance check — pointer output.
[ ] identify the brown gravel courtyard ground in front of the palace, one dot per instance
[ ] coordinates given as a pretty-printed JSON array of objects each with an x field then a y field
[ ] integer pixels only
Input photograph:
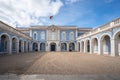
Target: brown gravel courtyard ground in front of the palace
[{"x": 60, "y": 64}]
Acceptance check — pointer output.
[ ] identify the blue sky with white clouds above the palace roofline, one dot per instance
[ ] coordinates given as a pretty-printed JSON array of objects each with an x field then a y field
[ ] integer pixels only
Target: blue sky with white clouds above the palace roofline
[{"x": 80, "y": 13}]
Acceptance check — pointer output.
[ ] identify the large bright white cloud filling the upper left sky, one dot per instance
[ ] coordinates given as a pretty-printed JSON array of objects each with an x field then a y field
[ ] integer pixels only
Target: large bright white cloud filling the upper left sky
[{"x": 26, "y": 12}]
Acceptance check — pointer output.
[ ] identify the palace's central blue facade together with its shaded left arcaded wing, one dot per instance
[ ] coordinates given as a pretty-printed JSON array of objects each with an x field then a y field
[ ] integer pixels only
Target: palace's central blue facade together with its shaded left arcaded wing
[{"x": 39, "y": 38}]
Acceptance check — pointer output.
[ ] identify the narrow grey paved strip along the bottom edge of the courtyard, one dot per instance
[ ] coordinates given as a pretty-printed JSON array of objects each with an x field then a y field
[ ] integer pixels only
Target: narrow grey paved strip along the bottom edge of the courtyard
[{"x": 59, "y": 77}]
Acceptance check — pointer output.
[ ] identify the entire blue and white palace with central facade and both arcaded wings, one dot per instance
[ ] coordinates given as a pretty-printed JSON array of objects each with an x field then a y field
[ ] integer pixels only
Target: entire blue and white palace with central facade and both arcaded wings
[{"x": 102, "y": 40}]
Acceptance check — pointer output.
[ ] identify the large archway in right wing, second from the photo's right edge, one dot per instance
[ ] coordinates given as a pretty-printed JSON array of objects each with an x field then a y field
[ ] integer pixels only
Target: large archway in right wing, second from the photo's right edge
[{"x": 105, "y": 45}]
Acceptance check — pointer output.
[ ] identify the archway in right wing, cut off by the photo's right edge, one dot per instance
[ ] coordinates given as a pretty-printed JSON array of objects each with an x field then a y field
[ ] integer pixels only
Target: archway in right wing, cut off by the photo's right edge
[{"x": 117, "y": 43}]
